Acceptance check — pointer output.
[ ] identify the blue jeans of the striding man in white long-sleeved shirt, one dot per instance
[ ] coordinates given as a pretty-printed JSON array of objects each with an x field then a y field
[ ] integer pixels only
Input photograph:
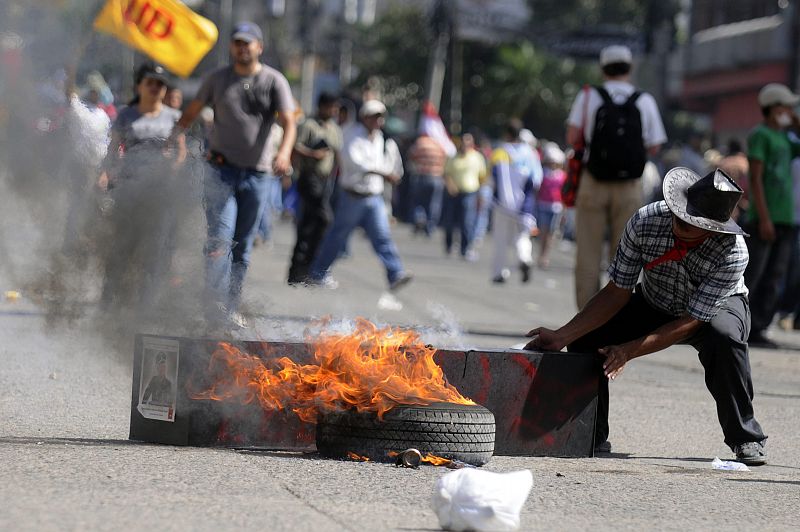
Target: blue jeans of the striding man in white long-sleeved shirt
[{"x": 353, "y": 211}]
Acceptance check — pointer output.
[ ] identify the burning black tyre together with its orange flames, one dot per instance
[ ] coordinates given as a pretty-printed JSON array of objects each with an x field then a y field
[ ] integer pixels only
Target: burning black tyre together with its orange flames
[{"x": 371, "y": 391}]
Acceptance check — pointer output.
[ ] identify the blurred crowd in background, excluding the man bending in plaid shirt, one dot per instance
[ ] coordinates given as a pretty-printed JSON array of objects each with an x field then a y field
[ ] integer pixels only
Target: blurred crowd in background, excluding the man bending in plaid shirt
[{"x": 338, "y": 170}]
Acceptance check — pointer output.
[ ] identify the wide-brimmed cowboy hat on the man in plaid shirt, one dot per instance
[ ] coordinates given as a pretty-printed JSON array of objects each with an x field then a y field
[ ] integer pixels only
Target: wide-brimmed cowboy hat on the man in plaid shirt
[{"x": 705, "y": 202}]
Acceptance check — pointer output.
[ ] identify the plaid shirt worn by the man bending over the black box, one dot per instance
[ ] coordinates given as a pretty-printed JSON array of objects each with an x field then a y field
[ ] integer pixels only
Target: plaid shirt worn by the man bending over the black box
[{"x": 698, "y": 285}]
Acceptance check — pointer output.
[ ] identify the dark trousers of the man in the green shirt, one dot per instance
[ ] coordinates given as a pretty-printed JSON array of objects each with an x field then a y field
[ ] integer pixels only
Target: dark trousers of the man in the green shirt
[{"x": 766, "y": 272}]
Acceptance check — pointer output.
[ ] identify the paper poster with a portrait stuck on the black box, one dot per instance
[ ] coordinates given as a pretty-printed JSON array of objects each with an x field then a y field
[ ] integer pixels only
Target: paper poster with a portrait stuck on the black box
[{"x": 159, "y": 377}]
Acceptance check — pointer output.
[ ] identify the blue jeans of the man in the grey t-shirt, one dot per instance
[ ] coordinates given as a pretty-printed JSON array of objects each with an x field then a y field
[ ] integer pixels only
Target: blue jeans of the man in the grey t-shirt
[{"x": 234, "y": 199}]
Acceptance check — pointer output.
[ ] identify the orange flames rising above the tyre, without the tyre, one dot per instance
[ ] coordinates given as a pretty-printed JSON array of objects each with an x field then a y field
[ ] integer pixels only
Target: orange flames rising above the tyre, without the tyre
[{"x": 369, "y": 370}]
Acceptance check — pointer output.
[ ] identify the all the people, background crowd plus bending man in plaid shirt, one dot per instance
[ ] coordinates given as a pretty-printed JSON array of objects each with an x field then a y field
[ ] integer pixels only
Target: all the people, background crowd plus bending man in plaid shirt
[{"x": 678, "y": 266}]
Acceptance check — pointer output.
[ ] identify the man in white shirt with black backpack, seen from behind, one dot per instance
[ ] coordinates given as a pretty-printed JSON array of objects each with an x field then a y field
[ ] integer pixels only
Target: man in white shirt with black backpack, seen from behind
[{"x": 607, "y": 198}]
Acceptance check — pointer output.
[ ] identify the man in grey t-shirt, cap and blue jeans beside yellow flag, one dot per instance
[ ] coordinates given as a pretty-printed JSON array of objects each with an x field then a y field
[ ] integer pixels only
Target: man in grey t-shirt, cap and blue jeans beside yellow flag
[{"x": 247, "y": 97}]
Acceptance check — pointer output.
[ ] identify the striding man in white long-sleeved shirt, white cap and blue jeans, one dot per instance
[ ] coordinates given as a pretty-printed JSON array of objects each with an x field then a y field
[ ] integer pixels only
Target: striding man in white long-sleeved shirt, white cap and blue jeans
[{"x": 368, "y": 159}]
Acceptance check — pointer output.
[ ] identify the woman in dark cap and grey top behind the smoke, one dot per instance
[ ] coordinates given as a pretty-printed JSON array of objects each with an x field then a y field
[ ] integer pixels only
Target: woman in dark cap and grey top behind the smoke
[{"x": 142, "y": 174}]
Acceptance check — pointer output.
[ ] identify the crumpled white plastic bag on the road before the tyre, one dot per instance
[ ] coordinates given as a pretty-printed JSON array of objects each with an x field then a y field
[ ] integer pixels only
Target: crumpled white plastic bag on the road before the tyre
[{"x": 471, "y": 499}]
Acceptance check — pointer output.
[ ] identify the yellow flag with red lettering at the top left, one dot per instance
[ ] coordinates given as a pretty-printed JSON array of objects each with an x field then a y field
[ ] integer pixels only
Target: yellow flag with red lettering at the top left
[{"x": 166, "y": 30}]
